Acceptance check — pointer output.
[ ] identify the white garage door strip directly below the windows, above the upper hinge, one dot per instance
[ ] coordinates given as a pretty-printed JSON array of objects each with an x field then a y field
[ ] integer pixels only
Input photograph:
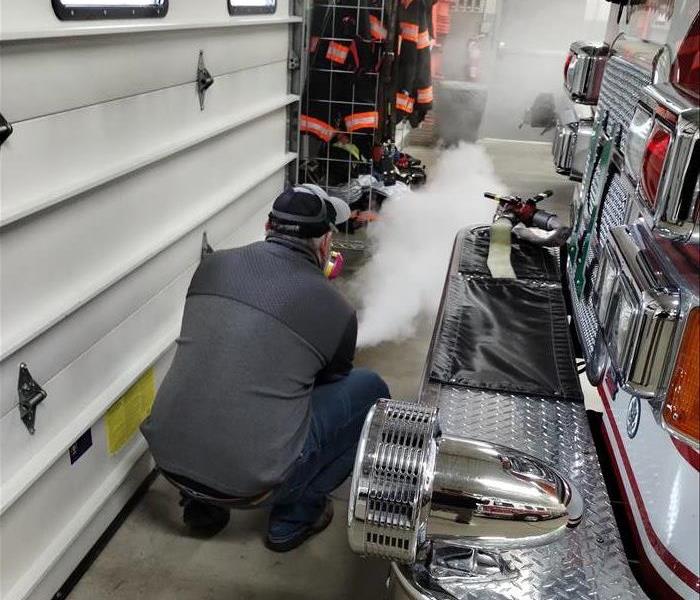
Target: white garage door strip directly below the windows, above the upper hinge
[{"x": 50, "y": 76}]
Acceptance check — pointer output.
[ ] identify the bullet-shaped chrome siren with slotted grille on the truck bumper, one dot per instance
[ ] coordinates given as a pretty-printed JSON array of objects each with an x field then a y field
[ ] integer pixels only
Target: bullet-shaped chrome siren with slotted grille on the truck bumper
[{"x": 412, "y": 485}]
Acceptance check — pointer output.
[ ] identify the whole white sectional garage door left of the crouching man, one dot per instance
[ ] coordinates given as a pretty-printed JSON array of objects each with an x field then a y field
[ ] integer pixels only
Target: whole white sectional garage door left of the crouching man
[{"x": 111, "y": 175}]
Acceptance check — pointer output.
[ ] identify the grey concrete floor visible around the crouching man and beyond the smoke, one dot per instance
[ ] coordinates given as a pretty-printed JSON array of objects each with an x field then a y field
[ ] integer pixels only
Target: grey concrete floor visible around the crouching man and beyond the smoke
[{"x": 151, "y": 557}]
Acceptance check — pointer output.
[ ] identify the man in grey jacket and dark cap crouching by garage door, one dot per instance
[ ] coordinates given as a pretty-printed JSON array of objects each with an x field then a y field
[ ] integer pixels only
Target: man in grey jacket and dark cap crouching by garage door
[{"x": 261, "y": 405}]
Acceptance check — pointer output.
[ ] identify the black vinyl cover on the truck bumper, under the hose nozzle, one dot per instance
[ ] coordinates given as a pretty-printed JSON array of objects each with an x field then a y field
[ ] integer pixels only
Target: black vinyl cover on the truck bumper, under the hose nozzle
[{"x": 506, "y": 335}]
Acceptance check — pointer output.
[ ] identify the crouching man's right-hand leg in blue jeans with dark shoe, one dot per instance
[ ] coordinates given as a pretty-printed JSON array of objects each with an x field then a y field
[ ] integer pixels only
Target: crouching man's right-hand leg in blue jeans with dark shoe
[{"x": 338, "y": 412}]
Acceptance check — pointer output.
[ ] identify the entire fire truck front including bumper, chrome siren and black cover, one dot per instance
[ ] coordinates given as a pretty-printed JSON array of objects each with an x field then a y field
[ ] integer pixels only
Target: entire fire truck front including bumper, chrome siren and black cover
[{"x": 626, "y": 285}]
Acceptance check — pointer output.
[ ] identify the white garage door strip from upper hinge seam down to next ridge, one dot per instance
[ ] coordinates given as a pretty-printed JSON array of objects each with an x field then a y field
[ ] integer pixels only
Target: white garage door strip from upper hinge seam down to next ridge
[{"x": 69, "y": 152}]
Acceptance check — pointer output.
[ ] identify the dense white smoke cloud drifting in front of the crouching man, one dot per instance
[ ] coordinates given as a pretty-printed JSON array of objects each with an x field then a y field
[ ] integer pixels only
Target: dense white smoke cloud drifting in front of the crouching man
[{"x": 403, "y": 279}]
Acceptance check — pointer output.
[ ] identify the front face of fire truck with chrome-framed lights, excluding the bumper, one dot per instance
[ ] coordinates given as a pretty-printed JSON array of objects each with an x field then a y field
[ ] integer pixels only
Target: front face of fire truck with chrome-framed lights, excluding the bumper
[{"x": 633, "y": 270}]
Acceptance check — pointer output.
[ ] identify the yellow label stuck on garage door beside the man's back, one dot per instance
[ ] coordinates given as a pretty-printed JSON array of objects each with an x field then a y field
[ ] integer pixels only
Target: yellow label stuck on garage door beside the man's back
[{"x": 126, "y": 414}]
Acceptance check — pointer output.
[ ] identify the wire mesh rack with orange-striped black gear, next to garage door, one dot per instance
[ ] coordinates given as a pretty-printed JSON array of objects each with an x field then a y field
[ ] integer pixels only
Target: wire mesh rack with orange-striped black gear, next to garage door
[{"x": 342, "y": 94}]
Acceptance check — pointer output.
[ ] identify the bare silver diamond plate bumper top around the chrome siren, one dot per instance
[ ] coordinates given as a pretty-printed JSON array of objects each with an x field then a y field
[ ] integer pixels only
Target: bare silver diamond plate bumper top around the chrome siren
[{"x": 590, "y": 561}]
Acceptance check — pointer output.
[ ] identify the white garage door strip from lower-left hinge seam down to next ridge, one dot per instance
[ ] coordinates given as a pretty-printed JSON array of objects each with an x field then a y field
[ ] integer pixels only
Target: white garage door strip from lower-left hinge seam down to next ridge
[{"x": 80, "y": 393}]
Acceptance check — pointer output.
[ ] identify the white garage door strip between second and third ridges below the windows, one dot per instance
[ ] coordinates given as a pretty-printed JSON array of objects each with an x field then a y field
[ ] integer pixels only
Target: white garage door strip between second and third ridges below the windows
[{"x": 55, "y": 263}]
